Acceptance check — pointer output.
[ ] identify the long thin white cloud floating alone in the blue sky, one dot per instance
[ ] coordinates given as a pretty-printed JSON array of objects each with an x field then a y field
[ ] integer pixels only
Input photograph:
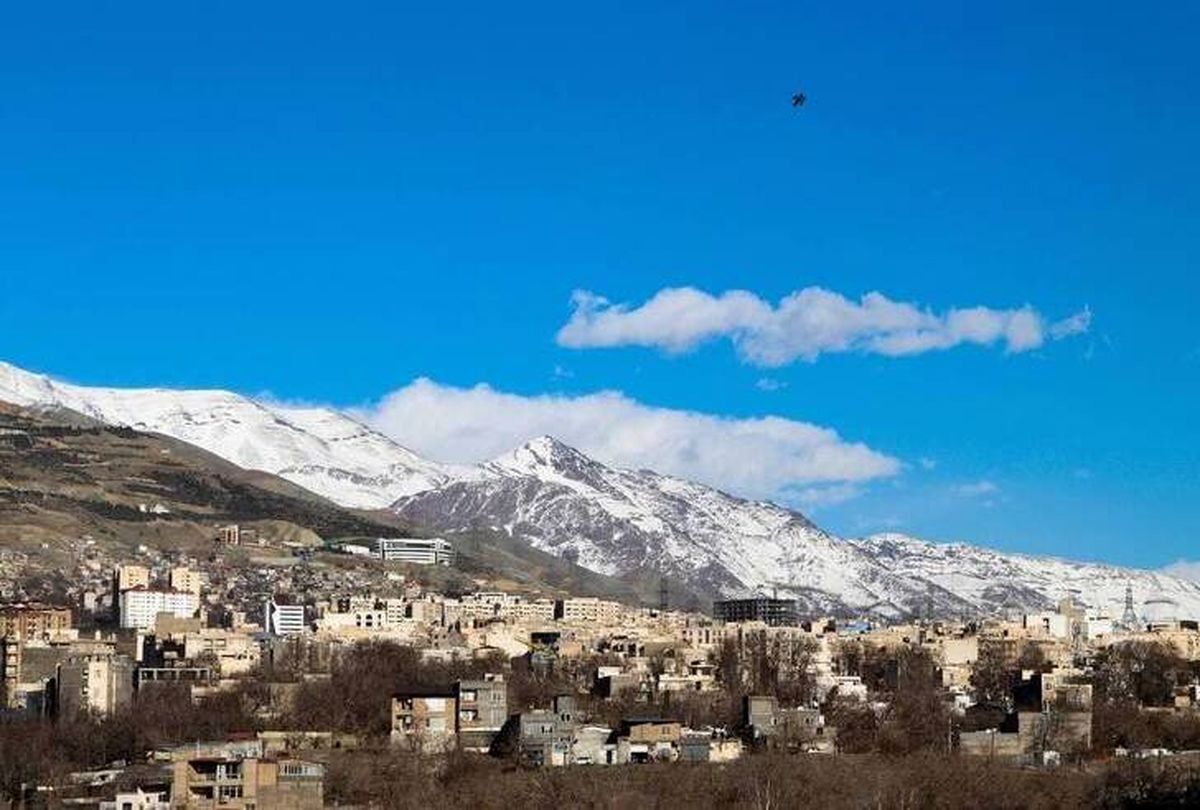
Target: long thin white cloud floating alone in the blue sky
[{"x": 805, "y": 325}]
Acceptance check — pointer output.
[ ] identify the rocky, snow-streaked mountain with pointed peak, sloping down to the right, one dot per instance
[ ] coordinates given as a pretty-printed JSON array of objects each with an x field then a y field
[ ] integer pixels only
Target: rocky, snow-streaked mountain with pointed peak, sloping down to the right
[{"x": 639, "y": 523}]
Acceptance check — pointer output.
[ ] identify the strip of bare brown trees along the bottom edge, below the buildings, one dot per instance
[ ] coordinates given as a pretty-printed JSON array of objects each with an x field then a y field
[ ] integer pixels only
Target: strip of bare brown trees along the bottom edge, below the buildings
[{"x": 389, "y": 779}]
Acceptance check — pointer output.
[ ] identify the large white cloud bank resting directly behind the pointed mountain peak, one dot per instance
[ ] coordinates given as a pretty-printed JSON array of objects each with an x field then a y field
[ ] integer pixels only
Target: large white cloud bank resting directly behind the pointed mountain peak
[{"x": 760, "y": 458}]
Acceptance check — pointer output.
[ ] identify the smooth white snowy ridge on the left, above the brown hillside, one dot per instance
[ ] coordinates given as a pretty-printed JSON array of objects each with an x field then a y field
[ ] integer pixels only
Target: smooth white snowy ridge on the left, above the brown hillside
[{"x": 317, "y": 448}]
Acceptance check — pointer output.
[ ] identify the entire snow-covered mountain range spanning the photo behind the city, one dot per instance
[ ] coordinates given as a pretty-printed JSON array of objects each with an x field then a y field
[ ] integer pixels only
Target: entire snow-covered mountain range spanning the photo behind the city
[{"x": 632, "y": 525}]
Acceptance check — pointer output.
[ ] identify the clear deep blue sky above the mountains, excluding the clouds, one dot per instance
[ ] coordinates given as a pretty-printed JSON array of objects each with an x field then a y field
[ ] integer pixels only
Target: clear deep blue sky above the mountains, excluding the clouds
[{"x": 327, "y": 203}]
